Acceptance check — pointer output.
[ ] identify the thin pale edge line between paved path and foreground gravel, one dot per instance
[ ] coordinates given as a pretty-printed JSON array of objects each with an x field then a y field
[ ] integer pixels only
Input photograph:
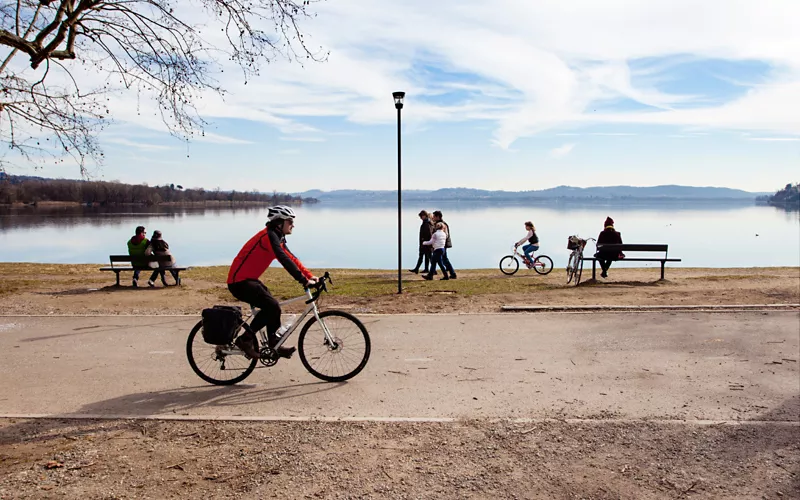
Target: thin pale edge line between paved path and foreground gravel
[{"x": 446, "y": 420}]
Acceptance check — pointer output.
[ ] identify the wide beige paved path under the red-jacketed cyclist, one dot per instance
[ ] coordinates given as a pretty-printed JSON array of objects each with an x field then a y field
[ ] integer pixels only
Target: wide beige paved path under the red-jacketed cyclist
[{"x": 694, "y": 366}]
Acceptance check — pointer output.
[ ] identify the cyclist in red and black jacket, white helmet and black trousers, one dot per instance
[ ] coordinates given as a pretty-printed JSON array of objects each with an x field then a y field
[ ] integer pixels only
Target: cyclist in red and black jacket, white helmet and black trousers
[{"x": 243, "y": 278}]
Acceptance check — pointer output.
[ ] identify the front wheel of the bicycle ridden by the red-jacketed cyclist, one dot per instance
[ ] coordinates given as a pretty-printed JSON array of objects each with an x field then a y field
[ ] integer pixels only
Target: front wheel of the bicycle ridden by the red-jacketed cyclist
[{"x": 339, "y": 361}]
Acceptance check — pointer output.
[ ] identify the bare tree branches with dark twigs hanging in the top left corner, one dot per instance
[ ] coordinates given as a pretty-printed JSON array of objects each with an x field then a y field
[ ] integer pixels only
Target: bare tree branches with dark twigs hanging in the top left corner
[{"x": 147, "y": 44}]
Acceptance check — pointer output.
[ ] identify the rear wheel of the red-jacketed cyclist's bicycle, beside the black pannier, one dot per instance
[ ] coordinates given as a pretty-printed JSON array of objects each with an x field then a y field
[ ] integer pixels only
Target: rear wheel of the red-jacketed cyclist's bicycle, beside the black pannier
[{"x": 211, "y": 364}]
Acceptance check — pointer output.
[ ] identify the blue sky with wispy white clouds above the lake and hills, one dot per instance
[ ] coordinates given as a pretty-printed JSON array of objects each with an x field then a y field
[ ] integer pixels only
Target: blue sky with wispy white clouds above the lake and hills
[{"x": 507, "y": 95}]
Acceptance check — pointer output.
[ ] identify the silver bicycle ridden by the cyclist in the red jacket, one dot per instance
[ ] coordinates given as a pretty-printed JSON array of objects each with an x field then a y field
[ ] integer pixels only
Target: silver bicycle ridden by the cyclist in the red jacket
[{"x": 333, "y": 345}]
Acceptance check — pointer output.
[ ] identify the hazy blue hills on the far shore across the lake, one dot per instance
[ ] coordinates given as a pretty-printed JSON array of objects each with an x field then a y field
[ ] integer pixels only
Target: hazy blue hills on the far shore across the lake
[{"x": 564, "y": 193}]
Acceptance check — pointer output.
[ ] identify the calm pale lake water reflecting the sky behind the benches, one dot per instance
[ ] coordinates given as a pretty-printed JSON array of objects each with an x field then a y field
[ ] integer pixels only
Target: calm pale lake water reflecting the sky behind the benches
[{"x": 334, "y": 236}]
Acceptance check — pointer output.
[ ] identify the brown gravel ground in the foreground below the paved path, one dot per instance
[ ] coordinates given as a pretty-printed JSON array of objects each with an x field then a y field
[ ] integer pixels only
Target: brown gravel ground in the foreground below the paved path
[{"x": 469, "y": 459}]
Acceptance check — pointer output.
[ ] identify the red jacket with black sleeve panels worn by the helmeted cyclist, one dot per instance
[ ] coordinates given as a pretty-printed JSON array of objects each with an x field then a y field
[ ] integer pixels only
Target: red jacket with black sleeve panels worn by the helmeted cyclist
[{"x": 258, "y": 253}]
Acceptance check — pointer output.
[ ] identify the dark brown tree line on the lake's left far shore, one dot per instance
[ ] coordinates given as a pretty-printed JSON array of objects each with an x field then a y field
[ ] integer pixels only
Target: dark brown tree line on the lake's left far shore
[{"x": 31, "y": 190}]
